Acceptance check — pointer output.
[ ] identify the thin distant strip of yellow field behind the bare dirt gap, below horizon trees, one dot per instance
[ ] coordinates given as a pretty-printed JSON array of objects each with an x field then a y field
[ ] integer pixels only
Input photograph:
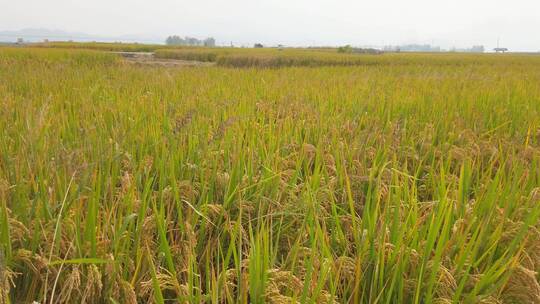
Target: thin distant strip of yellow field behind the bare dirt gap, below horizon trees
[{"x": 289, "y": 57}]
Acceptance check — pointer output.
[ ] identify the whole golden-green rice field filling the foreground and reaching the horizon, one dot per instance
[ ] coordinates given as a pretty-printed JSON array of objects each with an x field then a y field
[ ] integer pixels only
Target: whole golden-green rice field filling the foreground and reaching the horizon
[{"x": 394, "y": 178}]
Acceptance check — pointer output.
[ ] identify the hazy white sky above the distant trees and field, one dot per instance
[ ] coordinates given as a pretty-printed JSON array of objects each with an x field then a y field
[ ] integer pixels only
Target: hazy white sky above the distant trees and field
[{"x": 459, "y": 23}]
